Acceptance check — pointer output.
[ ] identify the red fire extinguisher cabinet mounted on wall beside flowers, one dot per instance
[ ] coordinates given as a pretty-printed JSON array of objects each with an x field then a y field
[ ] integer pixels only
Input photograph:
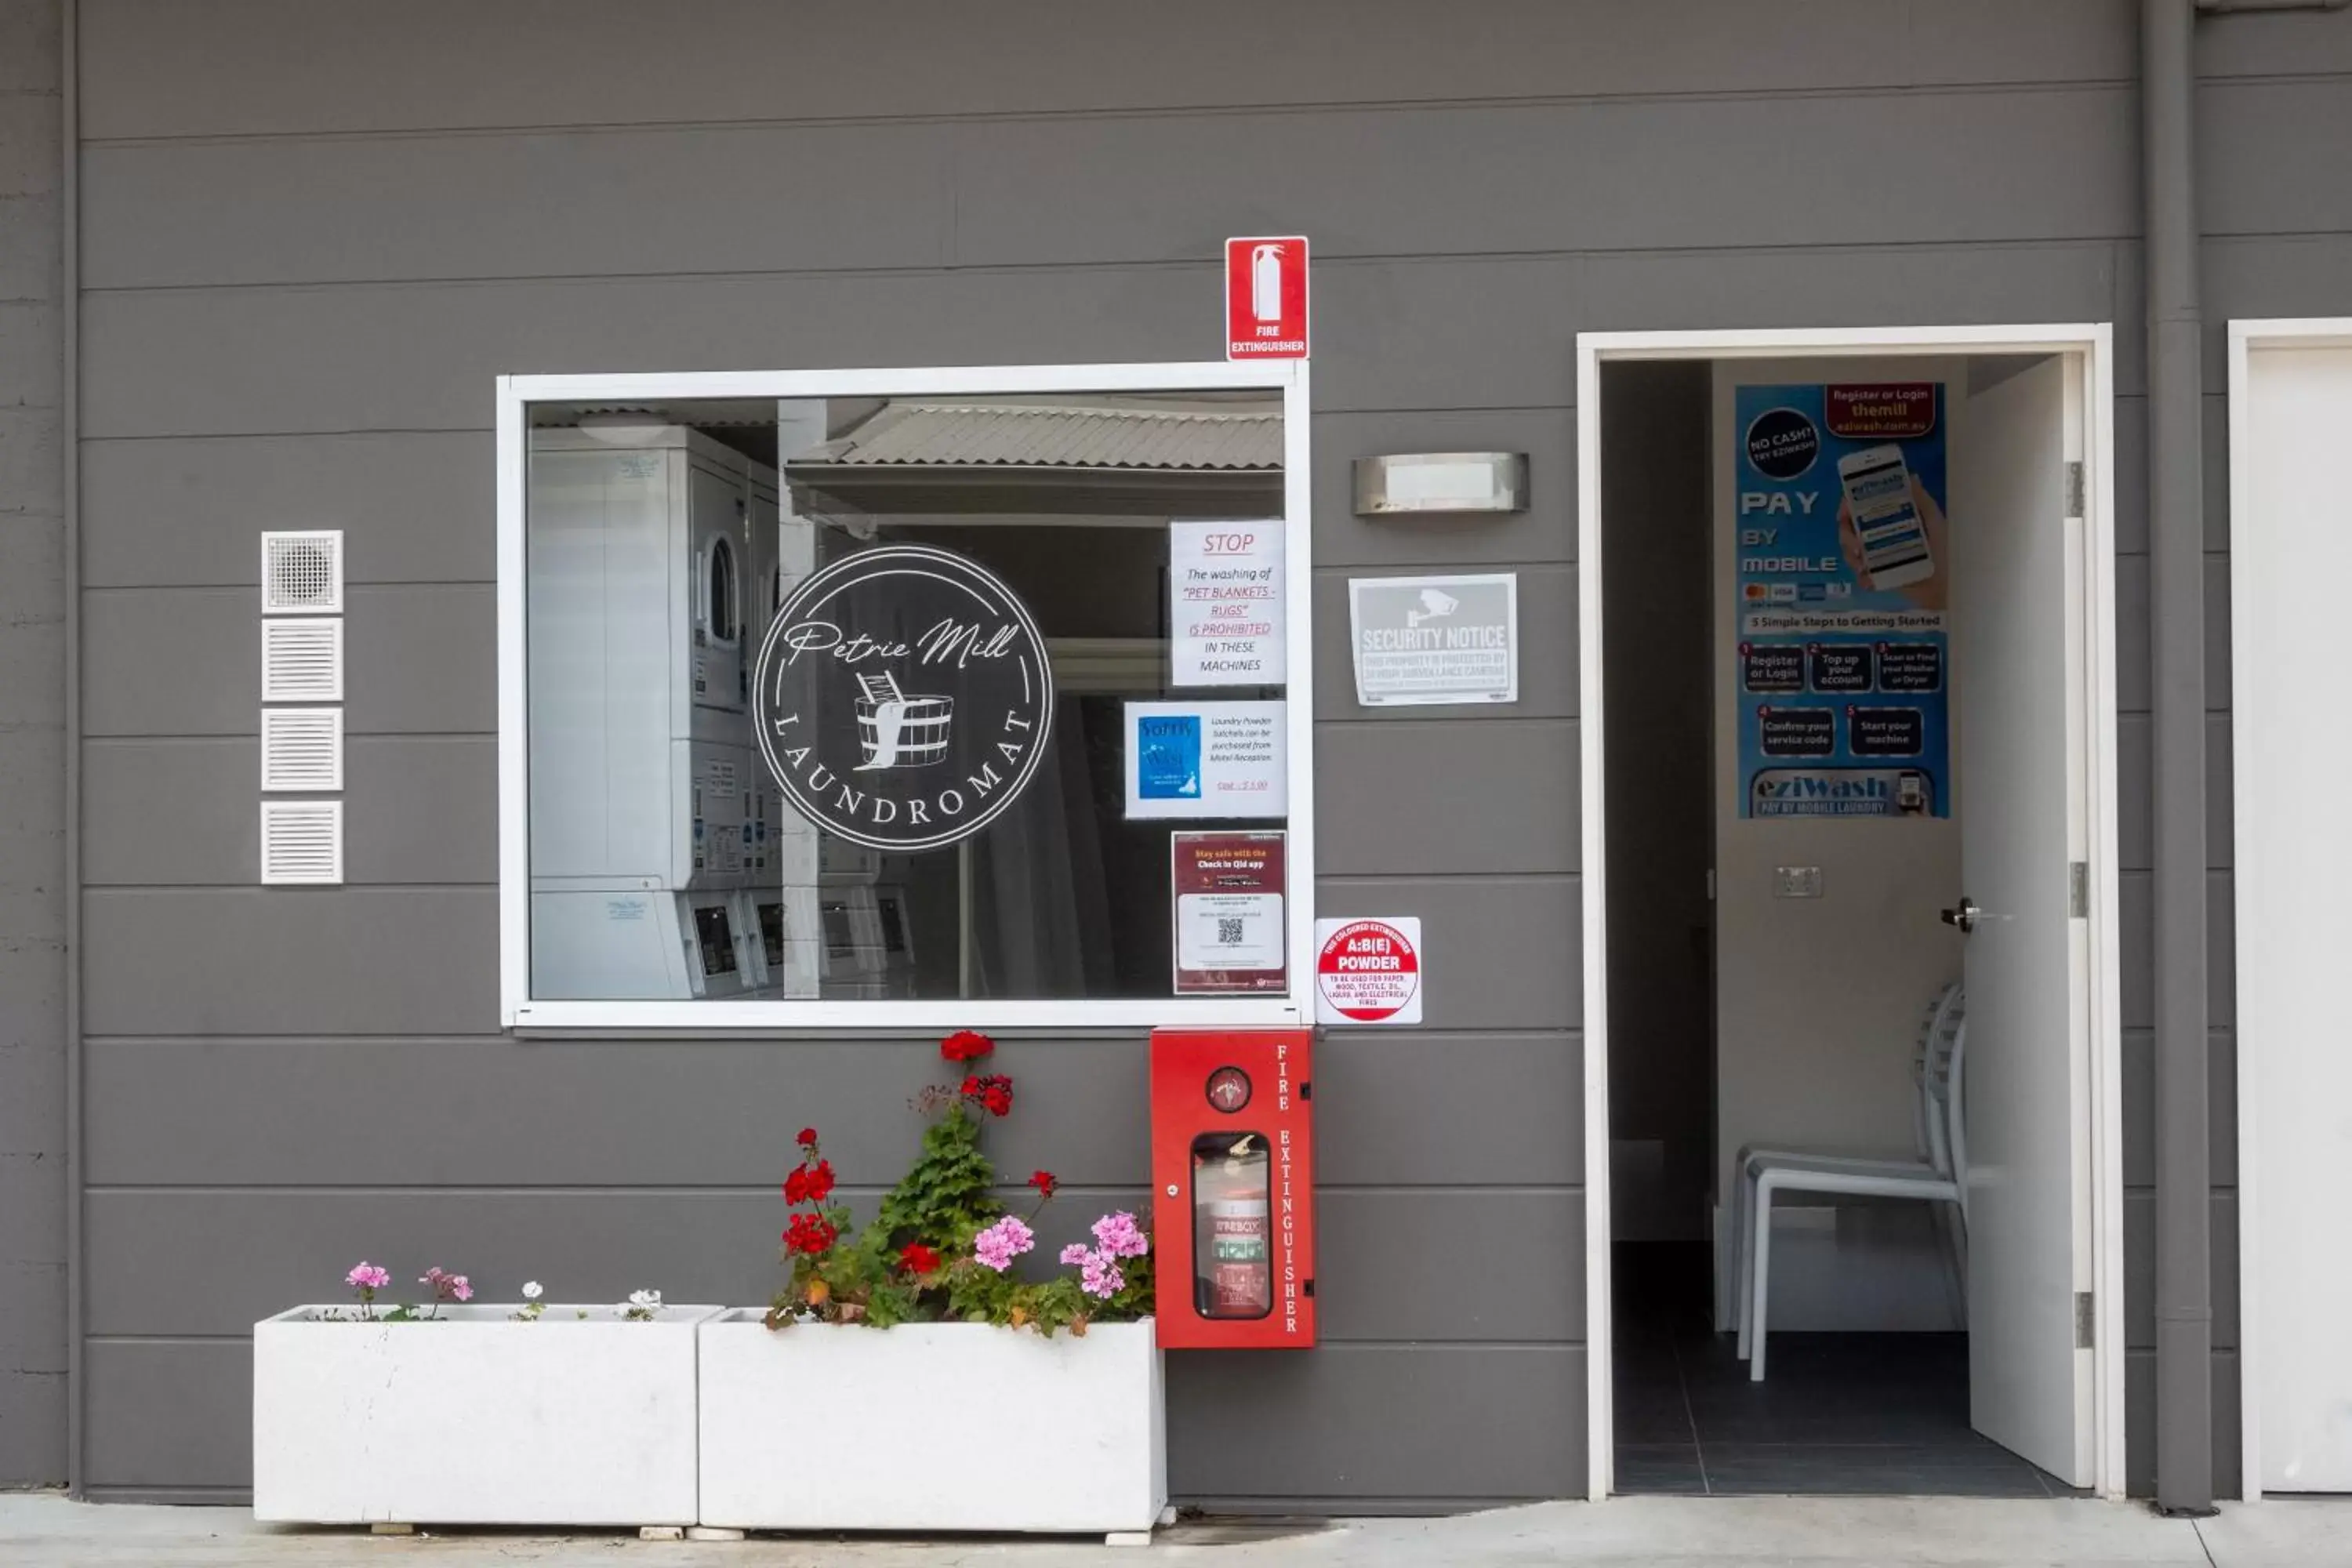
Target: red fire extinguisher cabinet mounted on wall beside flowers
[{"x": 1234, "y": 1188}]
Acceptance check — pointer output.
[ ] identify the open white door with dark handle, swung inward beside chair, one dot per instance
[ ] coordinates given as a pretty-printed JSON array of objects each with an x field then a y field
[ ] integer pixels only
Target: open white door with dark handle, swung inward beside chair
[{"x": 2024, "y": 763}]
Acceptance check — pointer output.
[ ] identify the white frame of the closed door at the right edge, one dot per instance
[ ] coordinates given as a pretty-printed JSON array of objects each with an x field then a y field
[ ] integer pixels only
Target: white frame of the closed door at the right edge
[{"x": 2250, "y": 958}]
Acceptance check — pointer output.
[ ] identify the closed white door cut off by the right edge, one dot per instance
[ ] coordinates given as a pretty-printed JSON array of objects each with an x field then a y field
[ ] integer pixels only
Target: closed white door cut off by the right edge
[{"x": 2292, "y": 558}]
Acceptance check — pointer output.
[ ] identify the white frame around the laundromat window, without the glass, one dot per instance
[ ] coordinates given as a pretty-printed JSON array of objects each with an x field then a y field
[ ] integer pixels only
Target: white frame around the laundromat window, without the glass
[{"x": 787, "y": 1017}]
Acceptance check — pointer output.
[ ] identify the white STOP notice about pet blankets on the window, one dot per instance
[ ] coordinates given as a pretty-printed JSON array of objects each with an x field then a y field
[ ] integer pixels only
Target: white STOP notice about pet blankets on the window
[{"x": 1227, "y": 605}]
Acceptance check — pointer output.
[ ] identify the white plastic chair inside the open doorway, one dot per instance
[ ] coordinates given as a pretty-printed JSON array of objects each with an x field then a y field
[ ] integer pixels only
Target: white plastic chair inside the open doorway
[{"x": 1939, "y": 1174}]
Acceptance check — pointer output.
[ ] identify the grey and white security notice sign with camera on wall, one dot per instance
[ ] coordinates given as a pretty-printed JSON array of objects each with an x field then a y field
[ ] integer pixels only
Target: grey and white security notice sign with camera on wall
[{"x": 1436, "y": 641}]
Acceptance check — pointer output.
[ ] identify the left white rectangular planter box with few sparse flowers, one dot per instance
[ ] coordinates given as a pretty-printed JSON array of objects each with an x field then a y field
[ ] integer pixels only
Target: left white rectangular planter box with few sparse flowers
[{"x": 476, "y": 1419}]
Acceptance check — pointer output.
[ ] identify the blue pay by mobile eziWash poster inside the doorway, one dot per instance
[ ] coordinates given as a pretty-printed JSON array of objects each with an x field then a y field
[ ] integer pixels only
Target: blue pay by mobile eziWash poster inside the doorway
[{"x": 1840, "y": 645}]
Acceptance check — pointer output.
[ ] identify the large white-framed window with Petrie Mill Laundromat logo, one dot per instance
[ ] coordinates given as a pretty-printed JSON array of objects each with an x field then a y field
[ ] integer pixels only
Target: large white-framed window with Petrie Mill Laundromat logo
[{"x": 907, "y": 697}]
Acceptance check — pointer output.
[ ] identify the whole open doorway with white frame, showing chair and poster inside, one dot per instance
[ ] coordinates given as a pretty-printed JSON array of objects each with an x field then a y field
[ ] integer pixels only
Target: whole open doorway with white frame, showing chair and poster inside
[{"x": 1850, "y": 890}]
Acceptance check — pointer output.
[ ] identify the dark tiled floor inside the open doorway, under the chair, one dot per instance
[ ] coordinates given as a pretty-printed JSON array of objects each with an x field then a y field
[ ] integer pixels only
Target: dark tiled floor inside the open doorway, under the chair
[{"x": 1843, "y": 1414}]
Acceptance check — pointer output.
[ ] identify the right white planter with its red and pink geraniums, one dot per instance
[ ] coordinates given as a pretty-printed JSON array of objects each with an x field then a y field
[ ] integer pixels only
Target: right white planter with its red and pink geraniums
[{"x": 918, "y": 1376}]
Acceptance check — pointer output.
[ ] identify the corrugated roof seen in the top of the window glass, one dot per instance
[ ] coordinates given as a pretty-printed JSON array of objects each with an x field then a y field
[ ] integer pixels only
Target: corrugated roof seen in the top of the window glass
[{"x": 1055, "y": 436}]
